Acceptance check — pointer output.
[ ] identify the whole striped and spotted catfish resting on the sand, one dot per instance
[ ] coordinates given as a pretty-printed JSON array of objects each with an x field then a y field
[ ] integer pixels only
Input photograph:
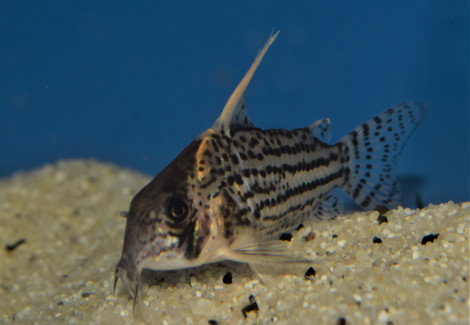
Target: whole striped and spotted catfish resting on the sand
[{"x": 236, "y": 187}]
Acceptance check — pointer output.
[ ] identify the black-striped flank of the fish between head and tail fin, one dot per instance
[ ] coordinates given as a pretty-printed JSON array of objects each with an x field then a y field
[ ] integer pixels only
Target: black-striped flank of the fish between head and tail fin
[{"x": 276, "y": 177}]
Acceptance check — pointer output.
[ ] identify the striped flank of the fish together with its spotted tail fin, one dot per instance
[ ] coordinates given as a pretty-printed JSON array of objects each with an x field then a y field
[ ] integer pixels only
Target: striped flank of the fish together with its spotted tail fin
[{"x": 279, "y": 177}]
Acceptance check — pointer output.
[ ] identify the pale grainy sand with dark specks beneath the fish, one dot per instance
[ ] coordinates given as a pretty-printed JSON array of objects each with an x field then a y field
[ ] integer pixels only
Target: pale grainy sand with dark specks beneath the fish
[{"x": 366, "y": 271}]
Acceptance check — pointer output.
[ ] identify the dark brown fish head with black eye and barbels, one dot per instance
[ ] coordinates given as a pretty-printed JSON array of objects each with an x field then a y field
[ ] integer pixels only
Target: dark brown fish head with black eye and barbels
[{"x": 168, "y": 223}]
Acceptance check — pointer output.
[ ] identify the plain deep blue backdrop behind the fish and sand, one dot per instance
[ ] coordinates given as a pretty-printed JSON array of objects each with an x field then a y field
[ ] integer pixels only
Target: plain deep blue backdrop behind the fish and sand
[{"x": 134, "y": 82}]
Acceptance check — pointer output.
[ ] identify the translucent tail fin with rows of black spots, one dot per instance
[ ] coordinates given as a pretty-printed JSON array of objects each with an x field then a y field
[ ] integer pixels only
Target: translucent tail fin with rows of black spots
[{"x": 370, "y": 151}]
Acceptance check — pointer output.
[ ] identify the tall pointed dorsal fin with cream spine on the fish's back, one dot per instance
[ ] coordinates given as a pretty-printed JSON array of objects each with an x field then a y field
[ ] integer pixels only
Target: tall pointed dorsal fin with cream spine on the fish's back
[{"x": 234, "y": 113}]
